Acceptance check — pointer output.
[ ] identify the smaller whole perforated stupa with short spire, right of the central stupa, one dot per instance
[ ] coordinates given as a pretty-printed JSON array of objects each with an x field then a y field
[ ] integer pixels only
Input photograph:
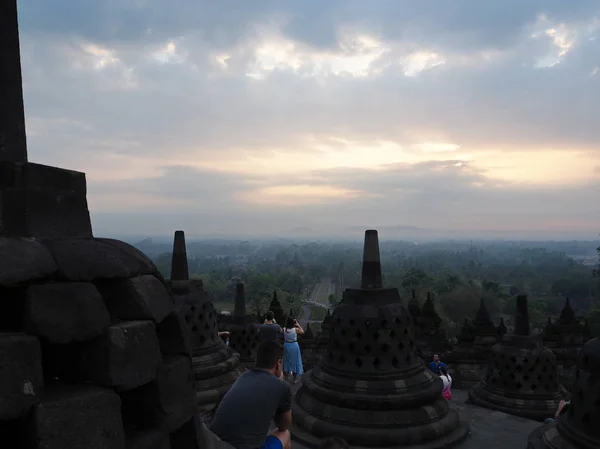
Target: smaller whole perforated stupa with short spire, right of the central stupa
[{"x": 522, "y": 375}]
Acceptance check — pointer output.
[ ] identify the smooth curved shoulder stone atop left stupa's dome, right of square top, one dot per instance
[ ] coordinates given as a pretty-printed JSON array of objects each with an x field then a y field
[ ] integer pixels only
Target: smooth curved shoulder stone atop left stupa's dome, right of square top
[{"x": 88, "y": 259}]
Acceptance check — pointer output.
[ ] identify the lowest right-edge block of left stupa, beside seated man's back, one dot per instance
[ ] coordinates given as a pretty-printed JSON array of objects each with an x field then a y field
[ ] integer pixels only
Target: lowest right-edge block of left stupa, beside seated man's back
[{"x": 166, "y": 403}]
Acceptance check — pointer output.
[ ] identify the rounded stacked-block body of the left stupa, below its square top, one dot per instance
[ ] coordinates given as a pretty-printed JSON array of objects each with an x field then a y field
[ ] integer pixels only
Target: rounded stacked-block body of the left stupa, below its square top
[{"x": 92, "y": 351}]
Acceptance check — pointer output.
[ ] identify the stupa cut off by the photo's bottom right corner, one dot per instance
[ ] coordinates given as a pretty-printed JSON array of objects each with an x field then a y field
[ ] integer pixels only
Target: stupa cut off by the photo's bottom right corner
[{"x": 579, "y": 427}]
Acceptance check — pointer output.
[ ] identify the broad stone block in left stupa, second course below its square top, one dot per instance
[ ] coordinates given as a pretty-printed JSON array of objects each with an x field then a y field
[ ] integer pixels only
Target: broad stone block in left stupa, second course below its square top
[{"x": 65, "y": 312}]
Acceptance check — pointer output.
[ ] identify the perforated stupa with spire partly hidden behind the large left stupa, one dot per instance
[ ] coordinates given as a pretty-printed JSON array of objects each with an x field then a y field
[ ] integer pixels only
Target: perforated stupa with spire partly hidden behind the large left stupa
[{"x": 216, "y": 366}]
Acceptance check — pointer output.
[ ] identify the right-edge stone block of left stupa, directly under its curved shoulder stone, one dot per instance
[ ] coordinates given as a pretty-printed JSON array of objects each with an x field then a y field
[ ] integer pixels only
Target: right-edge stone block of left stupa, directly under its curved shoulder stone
[{"x": 139, "y": 298}]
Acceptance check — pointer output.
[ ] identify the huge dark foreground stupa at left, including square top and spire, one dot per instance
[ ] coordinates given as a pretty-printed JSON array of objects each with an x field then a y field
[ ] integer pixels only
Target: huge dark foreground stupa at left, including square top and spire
[{"x": 86, "y": 360}]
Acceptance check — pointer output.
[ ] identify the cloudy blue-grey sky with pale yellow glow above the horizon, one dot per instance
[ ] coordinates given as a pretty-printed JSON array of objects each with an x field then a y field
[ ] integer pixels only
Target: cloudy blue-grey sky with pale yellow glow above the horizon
[{"x": 275, "y": 117}]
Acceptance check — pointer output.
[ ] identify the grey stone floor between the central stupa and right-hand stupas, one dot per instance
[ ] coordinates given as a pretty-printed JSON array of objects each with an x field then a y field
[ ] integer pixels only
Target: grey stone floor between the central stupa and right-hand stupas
[{"x": 489, "y": 429}]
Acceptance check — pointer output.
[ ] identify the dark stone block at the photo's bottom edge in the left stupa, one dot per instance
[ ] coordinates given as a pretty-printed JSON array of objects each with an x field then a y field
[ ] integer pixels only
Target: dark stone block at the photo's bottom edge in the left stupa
[{"x": 78, "y": 417}]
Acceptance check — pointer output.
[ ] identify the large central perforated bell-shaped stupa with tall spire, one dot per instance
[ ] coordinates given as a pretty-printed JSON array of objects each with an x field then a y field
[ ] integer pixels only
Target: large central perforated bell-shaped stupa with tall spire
[{"x": 371, "y": 388}]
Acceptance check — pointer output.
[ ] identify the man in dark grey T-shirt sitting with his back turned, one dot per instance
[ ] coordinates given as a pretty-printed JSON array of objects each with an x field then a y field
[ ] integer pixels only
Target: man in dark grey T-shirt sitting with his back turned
[{"x": 257, "y": 397}]
